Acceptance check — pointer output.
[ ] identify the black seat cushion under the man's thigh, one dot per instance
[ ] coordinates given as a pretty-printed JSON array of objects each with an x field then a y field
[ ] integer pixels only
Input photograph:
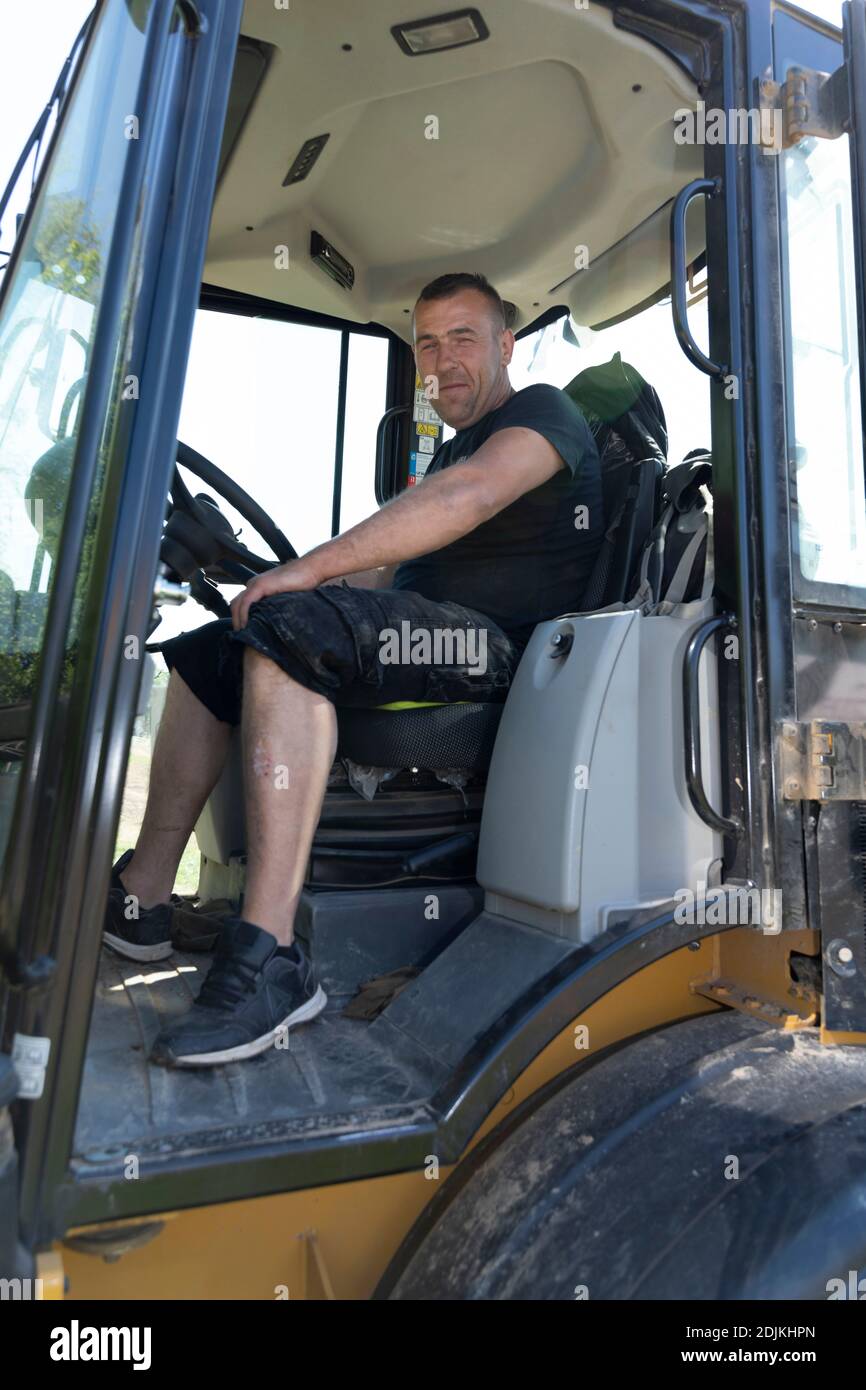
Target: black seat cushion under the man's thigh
[{"x": 430, "y": 737}]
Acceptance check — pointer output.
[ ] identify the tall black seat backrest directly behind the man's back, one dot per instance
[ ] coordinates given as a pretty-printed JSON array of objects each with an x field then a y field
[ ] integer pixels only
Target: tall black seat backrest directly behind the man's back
[{"x": 628, "y": 422}]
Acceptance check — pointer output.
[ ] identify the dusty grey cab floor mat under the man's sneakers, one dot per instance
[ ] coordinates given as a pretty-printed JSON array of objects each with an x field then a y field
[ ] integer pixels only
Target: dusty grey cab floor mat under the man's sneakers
[{"x": 332, "y": 1067}]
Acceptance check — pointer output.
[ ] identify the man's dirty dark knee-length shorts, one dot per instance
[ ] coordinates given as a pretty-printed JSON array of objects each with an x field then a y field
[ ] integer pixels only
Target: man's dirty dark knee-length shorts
[{"x": 358, "y": 647}]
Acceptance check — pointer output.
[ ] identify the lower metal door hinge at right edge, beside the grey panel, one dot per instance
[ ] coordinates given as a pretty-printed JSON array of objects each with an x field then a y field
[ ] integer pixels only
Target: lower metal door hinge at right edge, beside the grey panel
[{"x": 824, "y": 761}]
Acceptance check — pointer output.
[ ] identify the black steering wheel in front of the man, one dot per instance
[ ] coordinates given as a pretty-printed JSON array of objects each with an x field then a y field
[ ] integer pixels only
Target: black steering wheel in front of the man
[{"x": 199, "y": 546}]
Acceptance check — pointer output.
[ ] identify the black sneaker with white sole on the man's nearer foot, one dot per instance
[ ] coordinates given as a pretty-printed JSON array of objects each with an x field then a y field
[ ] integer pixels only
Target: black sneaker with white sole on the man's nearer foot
[{"x": 254, "y": 993}]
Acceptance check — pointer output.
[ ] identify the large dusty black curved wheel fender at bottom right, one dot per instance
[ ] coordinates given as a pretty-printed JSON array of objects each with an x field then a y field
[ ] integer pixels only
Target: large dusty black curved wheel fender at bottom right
[{"x": 715, "y": 1159}]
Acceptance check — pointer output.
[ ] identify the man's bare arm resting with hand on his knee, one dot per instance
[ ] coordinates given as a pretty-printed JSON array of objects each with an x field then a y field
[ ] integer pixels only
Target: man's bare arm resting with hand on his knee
[{"x": 447, "y": 507}]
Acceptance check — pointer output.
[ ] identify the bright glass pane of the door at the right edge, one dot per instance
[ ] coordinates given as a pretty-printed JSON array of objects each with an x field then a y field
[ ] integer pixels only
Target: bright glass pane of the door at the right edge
[{"x": 824, "y": 358}]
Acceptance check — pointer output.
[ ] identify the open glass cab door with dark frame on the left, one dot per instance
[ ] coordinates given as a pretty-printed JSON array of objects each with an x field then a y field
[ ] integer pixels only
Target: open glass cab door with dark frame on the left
[{"x": 97, "y": 315}]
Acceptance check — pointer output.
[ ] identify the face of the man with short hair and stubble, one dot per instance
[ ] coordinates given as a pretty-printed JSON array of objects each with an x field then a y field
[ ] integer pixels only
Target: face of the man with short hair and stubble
[{"x": 459, "y": 344}]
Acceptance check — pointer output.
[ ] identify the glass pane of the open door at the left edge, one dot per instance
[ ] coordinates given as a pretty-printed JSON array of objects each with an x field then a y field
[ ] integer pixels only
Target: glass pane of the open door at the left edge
[{"x": 51, "y": 301}]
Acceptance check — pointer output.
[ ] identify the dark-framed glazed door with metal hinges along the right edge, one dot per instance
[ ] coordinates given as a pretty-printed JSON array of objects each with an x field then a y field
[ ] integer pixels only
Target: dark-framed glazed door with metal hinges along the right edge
[{"x": 822, "y": 749}]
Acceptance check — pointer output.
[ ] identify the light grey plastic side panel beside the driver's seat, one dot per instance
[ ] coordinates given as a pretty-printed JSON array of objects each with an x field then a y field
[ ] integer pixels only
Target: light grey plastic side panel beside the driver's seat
[{"x": 587, "y": 810}]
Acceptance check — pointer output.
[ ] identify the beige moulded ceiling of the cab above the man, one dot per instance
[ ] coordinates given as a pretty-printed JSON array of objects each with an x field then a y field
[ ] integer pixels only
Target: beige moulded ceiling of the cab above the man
[{"x": 555, "y": 133}]
